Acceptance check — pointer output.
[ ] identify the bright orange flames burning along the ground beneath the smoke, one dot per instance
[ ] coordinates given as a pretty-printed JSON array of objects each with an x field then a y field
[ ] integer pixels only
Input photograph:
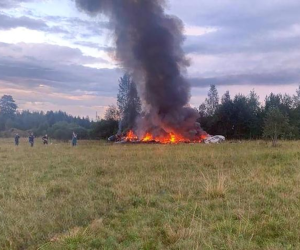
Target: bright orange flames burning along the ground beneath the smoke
[{"x": 171, "y": 138}]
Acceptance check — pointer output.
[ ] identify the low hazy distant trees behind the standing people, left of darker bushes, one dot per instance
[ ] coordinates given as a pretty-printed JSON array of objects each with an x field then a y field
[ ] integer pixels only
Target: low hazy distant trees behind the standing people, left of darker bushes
[{"x": 58, "y": 125}]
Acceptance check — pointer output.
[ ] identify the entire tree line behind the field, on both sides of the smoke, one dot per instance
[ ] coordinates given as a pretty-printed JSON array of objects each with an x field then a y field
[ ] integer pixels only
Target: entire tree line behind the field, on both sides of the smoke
[{"x": 238, "y": 117}]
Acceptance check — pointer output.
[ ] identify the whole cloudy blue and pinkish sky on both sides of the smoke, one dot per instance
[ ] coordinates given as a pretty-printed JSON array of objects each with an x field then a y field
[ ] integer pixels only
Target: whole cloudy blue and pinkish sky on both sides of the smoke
[{"x": 54, "y": 57}]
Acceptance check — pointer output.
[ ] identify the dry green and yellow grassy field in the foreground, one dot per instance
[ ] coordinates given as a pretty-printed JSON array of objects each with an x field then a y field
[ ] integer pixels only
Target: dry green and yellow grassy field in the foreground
[{"x": 105, "y": 196}]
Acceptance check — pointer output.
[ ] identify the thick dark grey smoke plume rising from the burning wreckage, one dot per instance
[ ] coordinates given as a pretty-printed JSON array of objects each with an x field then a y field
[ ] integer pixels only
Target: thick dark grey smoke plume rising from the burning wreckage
[{"x": 148, "y": 45}]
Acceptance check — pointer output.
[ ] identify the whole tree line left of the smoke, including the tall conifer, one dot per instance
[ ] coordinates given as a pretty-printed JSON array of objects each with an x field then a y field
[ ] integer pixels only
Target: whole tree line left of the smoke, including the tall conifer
[{"x": 60, "y": 125}]
